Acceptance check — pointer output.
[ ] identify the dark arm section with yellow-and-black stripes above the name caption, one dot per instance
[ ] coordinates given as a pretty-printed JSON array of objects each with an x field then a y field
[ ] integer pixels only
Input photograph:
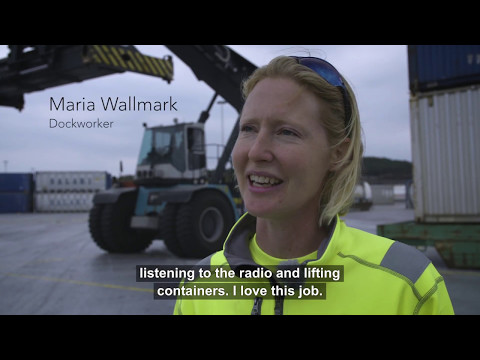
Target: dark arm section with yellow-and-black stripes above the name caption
[{"x": 31, "y": 68}]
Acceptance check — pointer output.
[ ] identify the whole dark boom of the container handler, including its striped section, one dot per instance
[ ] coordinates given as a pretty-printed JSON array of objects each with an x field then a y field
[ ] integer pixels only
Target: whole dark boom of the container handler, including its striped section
[{"x": 31, "y": 68}]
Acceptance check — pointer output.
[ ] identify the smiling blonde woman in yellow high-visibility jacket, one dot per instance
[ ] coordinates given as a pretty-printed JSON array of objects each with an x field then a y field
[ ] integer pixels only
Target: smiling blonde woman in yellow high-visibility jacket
[{"x": 297, "y": 161}]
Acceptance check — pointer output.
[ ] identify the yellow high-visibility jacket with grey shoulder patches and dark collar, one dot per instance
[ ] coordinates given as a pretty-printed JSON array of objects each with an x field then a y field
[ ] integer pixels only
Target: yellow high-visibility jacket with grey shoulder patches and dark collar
[{"x": 380, "y": 276}]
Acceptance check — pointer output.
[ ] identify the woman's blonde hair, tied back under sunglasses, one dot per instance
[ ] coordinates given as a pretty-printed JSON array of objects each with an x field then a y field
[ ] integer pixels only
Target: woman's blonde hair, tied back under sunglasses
[{"x": 339, "y": 185}]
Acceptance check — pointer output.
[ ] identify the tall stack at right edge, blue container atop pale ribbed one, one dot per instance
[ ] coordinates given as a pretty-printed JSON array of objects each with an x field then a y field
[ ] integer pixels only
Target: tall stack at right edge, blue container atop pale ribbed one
[{"x": 445, "y": 130}]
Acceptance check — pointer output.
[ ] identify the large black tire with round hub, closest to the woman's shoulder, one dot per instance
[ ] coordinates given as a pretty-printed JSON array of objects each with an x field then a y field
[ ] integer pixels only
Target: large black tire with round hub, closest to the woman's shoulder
[{"x": 203, "y": 224}]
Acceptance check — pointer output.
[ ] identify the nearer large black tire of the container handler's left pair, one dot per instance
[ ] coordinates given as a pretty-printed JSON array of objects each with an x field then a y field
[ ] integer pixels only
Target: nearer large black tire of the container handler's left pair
[{"x": 116, "y": 234}]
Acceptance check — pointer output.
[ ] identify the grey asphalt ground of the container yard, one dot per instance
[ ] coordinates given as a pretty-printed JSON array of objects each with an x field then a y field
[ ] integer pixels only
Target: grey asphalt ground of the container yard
[{"x": 49, "y": 265}]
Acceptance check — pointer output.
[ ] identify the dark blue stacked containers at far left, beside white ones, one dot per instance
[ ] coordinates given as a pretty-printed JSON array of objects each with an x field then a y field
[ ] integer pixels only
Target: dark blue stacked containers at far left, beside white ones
[{"x": 16, "y": 192}]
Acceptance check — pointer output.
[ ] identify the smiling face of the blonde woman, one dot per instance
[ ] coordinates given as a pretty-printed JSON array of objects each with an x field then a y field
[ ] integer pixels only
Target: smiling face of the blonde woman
[{"x": 281, "y": 156}]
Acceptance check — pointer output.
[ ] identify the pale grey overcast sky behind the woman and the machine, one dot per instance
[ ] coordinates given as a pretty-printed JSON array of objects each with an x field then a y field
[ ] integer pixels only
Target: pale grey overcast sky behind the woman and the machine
[{"x": 377, "y": 73}]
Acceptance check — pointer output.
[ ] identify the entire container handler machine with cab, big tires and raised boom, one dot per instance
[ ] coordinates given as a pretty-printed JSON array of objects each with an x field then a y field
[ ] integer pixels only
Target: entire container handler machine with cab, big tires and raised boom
[{"x": 174, "y": 197}]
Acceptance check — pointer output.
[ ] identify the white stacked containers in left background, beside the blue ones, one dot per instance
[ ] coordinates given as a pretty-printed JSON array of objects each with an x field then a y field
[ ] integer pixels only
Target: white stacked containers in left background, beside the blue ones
[{"x": 68, "y": 191}]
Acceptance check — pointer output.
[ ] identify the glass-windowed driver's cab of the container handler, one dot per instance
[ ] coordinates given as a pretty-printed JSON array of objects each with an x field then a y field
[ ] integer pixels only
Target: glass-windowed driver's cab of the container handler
[{"x": 173, "y": 154}]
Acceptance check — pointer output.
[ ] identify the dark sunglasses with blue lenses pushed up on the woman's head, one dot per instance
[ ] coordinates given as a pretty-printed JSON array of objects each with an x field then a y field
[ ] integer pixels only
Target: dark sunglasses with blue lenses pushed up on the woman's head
[{"x": 328, "y": 72}]
